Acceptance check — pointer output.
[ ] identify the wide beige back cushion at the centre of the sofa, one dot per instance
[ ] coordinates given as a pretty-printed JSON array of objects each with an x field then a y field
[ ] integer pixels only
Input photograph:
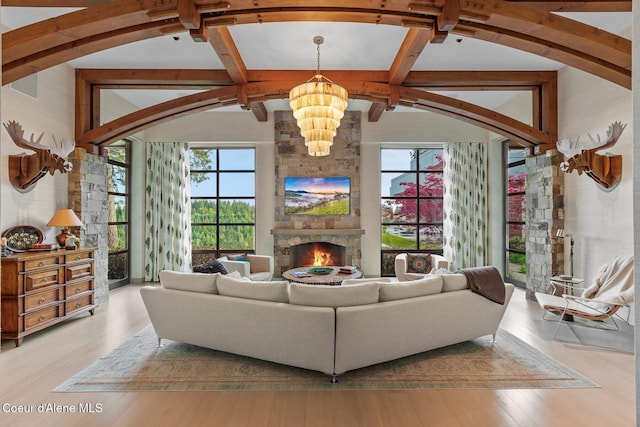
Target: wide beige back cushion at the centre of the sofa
[{"x": 333, "y": 296}]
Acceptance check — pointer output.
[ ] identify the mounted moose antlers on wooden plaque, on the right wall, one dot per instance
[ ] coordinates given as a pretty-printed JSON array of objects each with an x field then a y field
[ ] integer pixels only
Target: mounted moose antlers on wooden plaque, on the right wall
[{"x": 605, "y": 169}]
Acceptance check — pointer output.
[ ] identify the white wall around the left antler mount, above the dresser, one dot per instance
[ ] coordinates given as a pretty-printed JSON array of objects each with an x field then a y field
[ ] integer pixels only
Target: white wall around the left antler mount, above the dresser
[{"x": 52, "y": 113}]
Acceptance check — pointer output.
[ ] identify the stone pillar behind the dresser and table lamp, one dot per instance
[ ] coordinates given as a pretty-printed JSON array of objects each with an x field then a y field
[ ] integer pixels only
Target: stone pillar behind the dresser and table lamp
[{"x": 87, "y": 196}]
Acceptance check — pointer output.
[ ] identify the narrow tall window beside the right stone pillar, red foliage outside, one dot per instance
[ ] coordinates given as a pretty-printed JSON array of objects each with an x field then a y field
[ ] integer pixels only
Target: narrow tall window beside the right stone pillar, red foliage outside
[{"x": 516, "y": 179}]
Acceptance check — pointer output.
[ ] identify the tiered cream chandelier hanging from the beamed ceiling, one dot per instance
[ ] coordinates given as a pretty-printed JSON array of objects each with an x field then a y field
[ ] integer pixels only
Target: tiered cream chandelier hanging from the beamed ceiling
[{"x": 318, "y": 106}]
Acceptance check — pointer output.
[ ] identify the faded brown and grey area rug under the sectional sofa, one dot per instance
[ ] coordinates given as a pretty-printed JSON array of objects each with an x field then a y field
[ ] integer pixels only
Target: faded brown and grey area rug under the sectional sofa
[{"x": 137, "y": 365}]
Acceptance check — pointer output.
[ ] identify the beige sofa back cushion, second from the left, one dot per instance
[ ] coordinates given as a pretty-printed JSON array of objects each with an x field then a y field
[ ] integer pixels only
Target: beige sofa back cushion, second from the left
[{"x": 249, "y": 289}]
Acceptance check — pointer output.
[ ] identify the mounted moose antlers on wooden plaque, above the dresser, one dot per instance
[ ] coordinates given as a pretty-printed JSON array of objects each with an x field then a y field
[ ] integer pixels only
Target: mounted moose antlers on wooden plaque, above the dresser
[{"x": 25, "y": 170}]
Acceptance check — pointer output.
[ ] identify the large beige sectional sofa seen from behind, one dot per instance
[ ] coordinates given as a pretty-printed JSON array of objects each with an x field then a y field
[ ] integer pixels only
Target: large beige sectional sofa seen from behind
[{"x": 331, "y": 329}]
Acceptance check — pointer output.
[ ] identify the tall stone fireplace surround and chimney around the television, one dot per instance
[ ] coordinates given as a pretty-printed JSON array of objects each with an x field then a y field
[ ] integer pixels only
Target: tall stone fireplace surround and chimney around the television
[{"x": 292, "y": 160}]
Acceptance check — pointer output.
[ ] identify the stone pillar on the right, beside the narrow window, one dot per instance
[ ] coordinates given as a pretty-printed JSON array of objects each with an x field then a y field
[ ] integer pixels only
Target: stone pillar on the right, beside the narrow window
[{"x": 545, "y": 214}]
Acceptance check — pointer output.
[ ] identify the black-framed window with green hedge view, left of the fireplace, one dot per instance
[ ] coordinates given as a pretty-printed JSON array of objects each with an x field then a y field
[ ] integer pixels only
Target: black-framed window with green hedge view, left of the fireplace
[{"x": 222, "y": 202}]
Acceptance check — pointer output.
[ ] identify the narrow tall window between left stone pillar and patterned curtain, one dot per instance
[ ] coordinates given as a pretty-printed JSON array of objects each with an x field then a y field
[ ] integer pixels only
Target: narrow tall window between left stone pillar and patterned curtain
[{"x": 118, "y": 213}]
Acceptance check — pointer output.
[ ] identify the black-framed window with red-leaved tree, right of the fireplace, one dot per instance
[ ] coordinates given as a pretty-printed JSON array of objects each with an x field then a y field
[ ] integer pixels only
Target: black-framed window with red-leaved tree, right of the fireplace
[{"x": 411, "y": 203}]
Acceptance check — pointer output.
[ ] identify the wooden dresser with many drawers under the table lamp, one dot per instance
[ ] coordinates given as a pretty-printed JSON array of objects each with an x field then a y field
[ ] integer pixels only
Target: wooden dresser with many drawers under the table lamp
[{"x": 40, "y": 289}]
